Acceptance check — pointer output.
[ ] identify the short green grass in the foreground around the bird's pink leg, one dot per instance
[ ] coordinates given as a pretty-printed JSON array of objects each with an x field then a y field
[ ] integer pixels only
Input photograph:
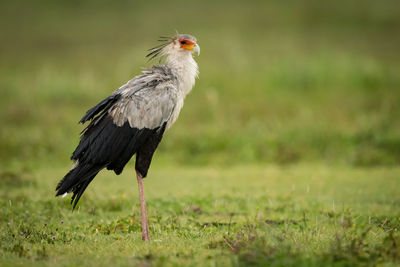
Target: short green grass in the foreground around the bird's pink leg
[{"x": 245, "y": 215}]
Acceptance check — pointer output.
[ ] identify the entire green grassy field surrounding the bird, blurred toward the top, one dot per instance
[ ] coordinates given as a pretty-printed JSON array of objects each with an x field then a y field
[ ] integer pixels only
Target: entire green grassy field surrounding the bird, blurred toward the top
[{"x": 287, "y": 152}]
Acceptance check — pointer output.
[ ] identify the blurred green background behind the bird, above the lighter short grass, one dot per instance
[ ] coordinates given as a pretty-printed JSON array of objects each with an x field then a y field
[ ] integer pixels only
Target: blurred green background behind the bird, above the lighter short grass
[{"x": 280, "y": 81}]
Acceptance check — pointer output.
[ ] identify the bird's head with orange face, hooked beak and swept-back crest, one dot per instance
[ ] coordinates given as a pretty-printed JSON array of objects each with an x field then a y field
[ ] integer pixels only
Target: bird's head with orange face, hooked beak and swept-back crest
[{"x": 178, "y": 45}]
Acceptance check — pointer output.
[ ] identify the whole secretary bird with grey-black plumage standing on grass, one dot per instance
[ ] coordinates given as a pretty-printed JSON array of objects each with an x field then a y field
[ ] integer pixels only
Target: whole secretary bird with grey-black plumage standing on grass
[{"x": 132, "y": 120}]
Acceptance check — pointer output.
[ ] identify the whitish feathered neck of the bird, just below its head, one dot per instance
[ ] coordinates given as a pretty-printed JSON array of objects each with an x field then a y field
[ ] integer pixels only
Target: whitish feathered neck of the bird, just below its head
[{"x": 185, "y": 68}]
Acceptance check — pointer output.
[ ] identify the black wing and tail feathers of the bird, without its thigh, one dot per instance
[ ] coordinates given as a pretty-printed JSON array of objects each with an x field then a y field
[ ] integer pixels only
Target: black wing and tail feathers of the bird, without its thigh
[{"x": 103, "y": 145}]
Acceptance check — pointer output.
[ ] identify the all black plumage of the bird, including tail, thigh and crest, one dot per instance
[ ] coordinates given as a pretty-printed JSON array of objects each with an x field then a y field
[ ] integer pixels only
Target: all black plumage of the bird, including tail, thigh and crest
[{"x": 103, "y": 144}]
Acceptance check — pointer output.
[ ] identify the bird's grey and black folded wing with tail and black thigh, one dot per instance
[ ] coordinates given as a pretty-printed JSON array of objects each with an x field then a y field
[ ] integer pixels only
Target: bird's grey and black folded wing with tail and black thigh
[{"x": 130, "y": 121}]
